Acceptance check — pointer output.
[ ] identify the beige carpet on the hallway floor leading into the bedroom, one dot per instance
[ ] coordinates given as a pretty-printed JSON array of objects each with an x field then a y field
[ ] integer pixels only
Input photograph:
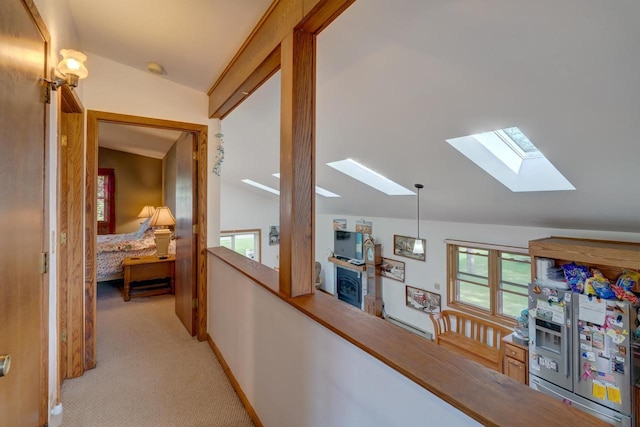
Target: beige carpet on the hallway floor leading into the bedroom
[{"x": 150, "y": 372}]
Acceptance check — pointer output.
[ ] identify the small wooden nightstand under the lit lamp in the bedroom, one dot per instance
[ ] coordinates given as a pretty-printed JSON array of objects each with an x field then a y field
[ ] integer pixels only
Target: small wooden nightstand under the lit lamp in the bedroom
[{"x": 151, "y": 275}]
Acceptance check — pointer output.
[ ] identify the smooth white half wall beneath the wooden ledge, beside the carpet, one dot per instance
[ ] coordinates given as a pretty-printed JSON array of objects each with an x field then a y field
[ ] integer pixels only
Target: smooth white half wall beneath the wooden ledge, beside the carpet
[{"x": 286, "y": 365}]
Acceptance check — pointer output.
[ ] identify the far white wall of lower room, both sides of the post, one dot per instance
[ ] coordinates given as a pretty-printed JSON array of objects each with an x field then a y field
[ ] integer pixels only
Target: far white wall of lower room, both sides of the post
[{"x": 242, "y": 208}]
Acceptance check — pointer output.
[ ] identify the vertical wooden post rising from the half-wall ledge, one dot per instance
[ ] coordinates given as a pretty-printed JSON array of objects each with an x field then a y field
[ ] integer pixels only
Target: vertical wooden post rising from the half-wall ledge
[{"x": 297, "y": 163}]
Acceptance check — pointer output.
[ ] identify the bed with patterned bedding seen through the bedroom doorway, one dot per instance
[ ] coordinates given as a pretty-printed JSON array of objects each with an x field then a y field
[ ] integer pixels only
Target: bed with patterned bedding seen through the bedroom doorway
[{"x": 112, "y": 249}]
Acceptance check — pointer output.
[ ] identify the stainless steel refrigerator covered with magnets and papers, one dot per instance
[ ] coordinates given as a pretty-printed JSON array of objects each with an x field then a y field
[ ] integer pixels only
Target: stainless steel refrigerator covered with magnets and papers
[{"x": 580, "y": 351}]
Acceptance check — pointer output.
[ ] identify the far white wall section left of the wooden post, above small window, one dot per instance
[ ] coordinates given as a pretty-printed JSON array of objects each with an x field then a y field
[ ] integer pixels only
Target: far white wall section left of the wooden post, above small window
[{"x": 243, "y": 209}]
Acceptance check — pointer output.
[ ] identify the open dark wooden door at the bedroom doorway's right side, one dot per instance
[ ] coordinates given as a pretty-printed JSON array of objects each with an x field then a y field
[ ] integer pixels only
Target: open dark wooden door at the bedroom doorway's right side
[{"x": 185, "y": 241}]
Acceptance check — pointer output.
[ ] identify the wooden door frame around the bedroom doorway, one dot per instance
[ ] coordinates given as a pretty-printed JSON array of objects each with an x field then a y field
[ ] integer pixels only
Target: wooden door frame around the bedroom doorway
[{"x": 94, "y": 118}]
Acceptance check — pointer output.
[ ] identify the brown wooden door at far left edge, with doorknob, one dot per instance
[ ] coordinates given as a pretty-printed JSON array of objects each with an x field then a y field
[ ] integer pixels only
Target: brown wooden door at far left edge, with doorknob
[{"x": 23, "y": 308}]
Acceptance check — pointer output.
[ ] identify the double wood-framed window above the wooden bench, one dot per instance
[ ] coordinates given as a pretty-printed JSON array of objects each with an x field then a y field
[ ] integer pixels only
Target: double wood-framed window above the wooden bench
[{"x": 488, "y": 280}]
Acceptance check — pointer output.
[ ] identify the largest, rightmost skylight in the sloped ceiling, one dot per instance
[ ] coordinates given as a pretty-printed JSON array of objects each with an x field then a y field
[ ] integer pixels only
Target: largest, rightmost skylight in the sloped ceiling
[{"x": 511, "y": 158}]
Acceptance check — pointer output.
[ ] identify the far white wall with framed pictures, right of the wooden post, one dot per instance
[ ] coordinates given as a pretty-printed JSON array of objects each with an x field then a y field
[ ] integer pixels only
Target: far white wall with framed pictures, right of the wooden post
[{"x": 426, "y": 274}]
